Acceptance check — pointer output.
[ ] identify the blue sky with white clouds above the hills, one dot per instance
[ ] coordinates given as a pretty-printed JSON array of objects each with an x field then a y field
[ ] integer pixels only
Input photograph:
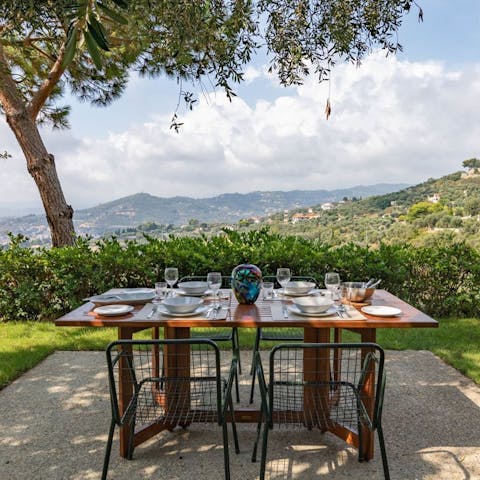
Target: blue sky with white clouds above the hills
[{"x": 395, "y": 119}]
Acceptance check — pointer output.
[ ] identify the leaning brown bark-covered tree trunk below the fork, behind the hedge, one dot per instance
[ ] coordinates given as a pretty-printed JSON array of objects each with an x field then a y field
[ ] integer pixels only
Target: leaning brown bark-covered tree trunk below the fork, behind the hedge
[{"x": 41, "y": 166}]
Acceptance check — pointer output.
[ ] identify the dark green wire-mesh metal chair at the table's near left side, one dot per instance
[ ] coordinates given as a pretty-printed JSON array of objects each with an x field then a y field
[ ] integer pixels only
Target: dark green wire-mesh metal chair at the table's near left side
[{"x": 188, "y": 388}]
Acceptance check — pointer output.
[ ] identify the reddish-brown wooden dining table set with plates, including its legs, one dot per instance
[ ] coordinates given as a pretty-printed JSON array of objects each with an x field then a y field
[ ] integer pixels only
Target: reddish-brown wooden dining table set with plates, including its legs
[{"x": 259, "y": 315}]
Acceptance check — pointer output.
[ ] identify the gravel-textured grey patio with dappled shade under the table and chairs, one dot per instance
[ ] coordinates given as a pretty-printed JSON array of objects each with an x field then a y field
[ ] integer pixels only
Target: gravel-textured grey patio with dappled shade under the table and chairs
[{"x": 54, "y": 422}]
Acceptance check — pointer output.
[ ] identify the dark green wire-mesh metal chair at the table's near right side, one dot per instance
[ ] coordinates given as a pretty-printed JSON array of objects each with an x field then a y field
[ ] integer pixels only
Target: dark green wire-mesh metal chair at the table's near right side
[{"x": 302, "y": 389}]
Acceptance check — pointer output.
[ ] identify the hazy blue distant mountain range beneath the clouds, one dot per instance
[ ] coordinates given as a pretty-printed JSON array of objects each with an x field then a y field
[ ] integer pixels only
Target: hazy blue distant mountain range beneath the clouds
[{"x": 227, "y": 208}]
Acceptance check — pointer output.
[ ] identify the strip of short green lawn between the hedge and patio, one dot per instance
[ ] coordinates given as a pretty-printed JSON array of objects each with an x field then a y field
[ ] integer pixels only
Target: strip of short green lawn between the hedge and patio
[{"x": 24, "y": 344}]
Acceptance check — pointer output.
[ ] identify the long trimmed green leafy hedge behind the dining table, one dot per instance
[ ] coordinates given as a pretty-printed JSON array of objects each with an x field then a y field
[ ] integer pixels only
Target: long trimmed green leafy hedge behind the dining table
[{"x": 45, "y": 283}]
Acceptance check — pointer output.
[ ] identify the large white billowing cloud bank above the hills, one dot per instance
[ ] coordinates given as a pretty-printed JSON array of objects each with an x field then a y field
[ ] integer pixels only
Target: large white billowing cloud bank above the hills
[{"x": 392, "y": 121}]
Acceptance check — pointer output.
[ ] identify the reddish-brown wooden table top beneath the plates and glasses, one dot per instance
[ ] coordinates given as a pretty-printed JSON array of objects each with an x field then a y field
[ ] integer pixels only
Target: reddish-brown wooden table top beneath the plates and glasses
[{"x": 259, "y": 314}]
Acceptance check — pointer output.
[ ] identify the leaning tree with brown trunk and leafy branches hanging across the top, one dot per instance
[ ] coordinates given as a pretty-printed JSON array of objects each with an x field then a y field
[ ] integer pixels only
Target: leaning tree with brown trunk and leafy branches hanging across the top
[{"x": 88, "y": 46}]
